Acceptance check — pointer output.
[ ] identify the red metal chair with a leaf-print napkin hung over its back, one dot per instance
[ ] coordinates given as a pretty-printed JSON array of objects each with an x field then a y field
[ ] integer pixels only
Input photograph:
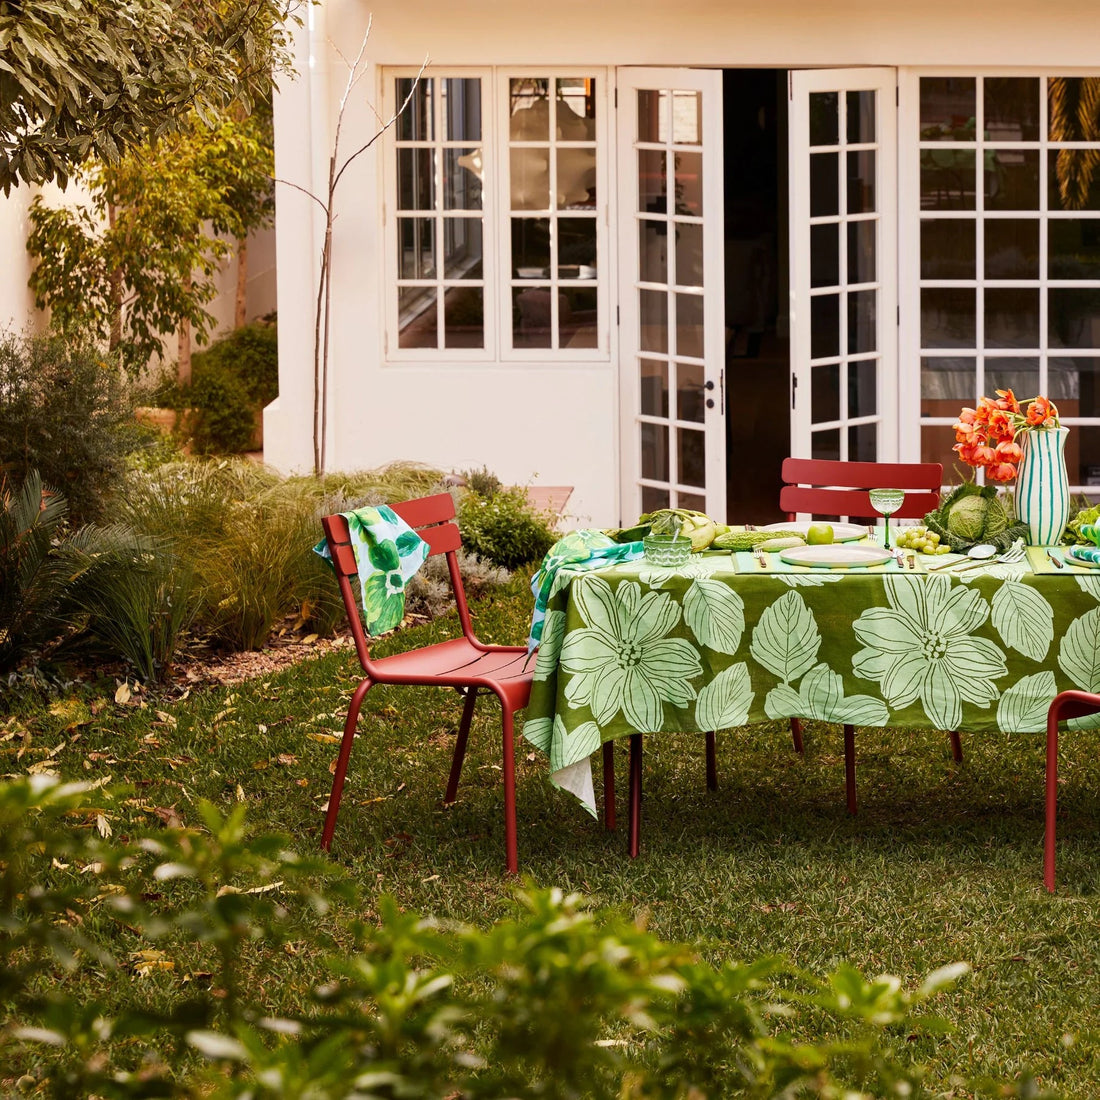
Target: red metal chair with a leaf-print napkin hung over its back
[{"x": 464, "y": 664}]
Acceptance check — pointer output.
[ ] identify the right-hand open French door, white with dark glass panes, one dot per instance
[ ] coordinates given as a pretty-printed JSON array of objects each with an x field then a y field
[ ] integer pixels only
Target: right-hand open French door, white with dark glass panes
[{"x": 843, "y": 234}]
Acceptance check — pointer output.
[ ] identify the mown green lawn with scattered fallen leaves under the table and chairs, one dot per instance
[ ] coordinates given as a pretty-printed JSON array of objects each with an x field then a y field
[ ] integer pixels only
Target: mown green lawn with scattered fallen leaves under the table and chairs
[{"x": 943, "y": 862}]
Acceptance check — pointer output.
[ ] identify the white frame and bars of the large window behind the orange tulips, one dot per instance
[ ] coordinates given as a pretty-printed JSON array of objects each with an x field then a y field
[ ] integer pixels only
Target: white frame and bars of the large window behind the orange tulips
[{"x": 909, "y": 277}]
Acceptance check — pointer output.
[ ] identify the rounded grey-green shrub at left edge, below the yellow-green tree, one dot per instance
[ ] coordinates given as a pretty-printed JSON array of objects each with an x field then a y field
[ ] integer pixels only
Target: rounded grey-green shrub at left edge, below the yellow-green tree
[{"x": 65, "y": 413}]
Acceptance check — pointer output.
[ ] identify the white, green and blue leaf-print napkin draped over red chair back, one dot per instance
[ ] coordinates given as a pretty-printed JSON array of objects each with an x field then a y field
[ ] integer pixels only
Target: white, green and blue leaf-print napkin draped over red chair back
[{"x": 388, "y": 554}]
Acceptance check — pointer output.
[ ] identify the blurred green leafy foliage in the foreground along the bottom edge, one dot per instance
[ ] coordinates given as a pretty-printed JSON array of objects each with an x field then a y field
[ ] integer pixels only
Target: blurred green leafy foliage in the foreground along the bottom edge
[{"x": 553, "y": 1002}]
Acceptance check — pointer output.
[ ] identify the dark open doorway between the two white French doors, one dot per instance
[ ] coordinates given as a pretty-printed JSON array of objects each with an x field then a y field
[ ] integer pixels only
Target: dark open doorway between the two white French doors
[{"x": 758, "y": 367}]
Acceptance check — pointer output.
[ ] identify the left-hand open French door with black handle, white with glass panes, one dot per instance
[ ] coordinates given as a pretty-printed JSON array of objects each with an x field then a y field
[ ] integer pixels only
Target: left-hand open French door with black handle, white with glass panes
[{"x": 672, "y": 299}]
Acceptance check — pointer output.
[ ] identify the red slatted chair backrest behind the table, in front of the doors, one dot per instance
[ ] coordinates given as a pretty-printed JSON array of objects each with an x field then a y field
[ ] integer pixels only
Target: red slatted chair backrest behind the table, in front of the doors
[{"x": 827, "y": 488}]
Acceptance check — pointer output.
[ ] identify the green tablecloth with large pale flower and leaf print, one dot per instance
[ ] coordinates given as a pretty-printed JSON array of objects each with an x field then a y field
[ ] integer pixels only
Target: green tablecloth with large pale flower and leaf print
[{"x": 636, "y": 648}]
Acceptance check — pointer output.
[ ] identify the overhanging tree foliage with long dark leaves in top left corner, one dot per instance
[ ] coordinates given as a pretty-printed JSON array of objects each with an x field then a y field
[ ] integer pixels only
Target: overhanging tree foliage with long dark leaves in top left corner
[{"x": 101, "y": 78}]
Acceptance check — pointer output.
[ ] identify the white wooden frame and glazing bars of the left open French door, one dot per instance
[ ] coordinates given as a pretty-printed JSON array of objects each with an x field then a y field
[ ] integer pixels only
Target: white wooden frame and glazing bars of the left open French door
[{"x": 630, "y": 82}]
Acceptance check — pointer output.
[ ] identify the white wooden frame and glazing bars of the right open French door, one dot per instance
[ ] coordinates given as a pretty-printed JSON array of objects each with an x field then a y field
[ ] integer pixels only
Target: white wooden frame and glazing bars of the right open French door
[{"x": 804, "y": 84}]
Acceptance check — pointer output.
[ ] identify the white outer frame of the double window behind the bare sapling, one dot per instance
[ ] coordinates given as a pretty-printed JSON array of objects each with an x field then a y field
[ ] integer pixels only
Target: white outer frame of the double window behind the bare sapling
[{"x": 497, "y": 218}]
